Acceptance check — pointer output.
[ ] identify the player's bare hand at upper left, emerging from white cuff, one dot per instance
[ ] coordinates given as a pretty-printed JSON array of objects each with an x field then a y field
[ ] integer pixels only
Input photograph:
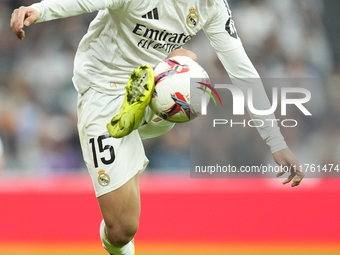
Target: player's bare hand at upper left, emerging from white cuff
[{"x": 24, "y": 16}]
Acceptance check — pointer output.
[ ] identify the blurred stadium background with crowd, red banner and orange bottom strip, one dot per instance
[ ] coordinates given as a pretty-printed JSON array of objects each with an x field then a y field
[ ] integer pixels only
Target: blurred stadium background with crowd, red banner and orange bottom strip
[{"x": 47, "y": 205}]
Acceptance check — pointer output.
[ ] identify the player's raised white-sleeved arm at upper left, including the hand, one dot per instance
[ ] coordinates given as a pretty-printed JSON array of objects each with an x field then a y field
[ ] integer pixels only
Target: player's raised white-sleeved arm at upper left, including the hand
[{"x": 56, "y": 9}]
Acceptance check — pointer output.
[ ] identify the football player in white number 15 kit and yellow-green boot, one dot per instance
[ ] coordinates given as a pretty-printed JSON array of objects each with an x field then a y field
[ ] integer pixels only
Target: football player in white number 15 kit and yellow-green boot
[{"x": 124, "y": 35}]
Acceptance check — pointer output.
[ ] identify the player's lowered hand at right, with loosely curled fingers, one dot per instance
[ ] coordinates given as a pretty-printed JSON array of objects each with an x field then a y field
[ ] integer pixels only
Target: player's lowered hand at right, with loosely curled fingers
[{"x": 288, "y": 161}]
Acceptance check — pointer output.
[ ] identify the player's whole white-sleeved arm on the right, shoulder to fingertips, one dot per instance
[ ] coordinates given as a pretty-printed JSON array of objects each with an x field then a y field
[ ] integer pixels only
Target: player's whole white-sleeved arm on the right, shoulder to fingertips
[{"x": 223, "y": 36}]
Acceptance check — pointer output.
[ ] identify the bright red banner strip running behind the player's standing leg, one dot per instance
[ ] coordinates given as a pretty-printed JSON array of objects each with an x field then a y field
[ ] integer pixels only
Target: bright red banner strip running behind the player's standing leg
[{"x": 175, "y": 207}]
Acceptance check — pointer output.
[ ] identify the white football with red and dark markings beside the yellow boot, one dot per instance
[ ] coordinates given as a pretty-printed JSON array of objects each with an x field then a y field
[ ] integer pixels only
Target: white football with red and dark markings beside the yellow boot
[{"x": 180, "y": 83}]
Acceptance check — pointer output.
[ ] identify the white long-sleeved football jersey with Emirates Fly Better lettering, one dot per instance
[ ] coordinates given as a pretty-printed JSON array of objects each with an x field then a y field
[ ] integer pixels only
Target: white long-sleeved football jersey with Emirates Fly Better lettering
[{"x": 128, "y": 33}]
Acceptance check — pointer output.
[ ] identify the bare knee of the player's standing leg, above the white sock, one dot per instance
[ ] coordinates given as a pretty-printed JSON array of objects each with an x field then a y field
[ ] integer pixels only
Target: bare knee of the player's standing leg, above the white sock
[{"x": 123, "y": 234}]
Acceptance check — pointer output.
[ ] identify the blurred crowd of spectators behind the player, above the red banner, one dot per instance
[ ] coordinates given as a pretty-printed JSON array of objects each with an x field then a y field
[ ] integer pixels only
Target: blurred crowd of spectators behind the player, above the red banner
[{"x": 284, "y": 39}]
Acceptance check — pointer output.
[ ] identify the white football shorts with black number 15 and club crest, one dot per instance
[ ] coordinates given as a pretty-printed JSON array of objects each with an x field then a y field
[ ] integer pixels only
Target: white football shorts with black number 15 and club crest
[{"x": 111, "y": 162}]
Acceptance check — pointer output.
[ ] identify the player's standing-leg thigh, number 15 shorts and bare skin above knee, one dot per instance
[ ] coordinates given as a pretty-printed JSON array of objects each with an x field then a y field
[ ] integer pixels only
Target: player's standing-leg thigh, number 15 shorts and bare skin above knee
[{"x": 114, "y": 164}]
